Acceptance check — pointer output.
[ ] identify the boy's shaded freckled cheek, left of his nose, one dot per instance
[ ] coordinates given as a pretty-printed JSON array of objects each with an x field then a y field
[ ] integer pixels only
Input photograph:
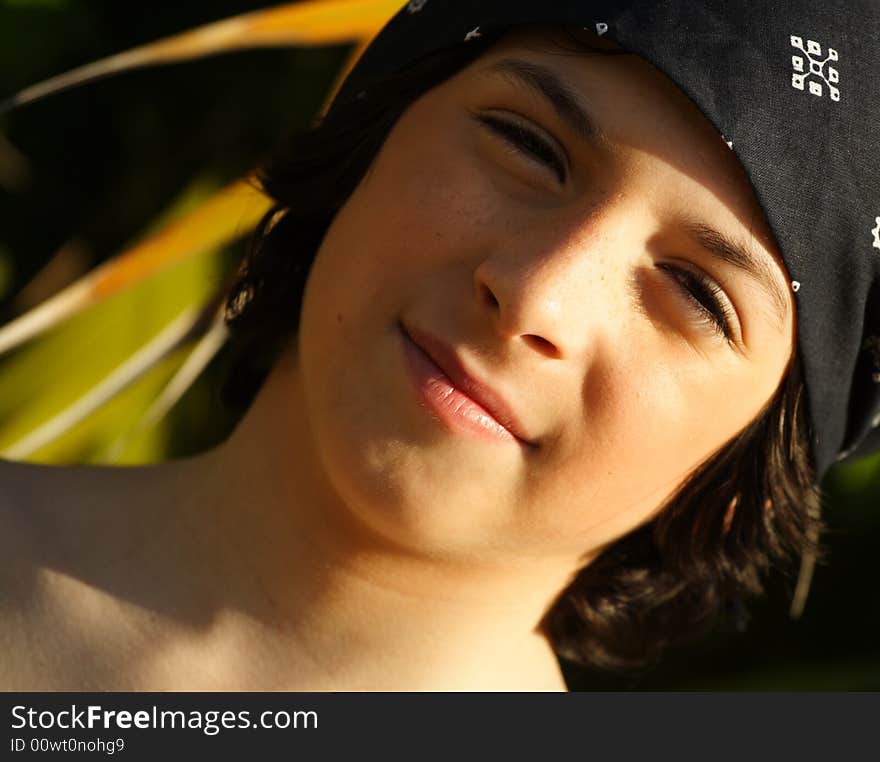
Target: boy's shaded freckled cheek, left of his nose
[{"x": 416, "y": 217}]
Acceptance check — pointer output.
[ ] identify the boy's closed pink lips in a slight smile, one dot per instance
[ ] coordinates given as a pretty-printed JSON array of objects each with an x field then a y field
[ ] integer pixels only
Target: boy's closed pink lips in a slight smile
[{"x": 457, "y": 399}]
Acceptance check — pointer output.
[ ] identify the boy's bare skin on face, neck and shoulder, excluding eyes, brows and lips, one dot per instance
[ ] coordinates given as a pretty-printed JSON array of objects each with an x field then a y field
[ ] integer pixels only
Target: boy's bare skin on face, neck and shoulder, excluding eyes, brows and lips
[{"x": 345, "y": 538}]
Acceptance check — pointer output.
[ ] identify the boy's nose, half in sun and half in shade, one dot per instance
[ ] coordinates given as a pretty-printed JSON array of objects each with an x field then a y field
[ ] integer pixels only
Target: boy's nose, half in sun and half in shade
[{"x": 554, "y": 296}]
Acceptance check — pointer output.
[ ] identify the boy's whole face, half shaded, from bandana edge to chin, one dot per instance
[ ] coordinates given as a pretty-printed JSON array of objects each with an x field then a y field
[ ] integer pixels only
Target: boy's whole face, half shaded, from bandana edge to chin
[{"x": 556, "y": 238}]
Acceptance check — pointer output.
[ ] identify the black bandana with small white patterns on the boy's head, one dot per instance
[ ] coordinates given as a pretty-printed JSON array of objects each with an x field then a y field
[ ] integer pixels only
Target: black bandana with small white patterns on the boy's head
[{"x": 794, "y": 88}]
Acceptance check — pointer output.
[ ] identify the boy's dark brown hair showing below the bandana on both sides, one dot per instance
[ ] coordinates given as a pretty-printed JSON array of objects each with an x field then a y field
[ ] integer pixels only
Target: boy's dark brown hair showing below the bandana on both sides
[{"x": 751, "y": 506}]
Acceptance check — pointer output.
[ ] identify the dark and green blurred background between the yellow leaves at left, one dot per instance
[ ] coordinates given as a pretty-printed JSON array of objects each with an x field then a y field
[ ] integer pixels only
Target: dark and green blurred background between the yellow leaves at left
[{"x": 99, "y": 167}]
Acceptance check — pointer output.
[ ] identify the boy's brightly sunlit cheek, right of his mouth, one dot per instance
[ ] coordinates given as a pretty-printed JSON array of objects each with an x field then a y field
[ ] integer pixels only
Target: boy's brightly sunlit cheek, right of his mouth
[{"x": 633, "y": 448}]
